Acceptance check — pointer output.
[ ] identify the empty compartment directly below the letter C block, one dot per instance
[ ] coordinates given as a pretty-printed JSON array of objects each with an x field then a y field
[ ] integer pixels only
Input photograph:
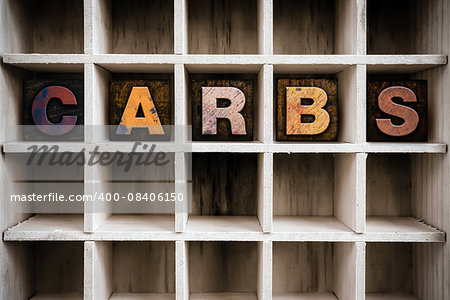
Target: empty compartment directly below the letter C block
[{"x": 38, "y": 184}]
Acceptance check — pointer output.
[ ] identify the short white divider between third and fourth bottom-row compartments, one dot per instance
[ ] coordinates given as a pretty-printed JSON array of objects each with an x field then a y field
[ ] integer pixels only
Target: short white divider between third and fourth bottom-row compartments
[{"x": 264, "y": 288}]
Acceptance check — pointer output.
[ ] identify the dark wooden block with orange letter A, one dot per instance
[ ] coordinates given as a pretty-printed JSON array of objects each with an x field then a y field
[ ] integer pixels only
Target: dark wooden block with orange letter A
[{"x": 140, "y": 109}]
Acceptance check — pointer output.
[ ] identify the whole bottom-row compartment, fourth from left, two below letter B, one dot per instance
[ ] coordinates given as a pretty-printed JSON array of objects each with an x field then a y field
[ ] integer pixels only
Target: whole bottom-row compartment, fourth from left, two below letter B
[{"x": 312, "y": 270}]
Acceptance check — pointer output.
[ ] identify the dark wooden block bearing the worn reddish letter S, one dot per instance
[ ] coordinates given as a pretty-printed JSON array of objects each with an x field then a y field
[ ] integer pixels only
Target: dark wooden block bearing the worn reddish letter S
[{"x": 374, "y": 112}]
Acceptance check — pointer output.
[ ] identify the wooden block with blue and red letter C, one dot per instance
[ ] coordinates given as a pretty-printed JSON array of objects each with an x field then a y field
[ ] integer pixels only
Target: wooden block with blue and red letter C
[{"x": 53, "y": 110}]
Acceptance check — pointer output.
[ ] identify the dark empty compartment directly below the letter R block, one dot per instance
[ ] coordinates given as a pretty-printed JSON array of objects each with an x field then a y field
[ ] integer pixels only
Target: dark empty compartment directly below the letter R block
[{"x": 224, "y": 192}]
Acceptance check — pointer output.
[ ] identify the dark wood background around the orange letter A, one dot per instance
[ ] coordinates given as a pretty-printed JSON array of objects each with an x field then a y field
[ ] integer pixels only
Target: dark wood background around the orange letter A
[{"x": 119, "y": 93}]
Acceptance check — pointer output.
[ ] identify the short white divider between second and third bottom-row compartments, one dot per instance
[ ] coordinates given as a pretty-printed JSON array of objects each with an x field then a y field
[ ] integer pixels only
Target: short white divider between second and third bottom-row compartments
[{"x": 182, "y": 270}]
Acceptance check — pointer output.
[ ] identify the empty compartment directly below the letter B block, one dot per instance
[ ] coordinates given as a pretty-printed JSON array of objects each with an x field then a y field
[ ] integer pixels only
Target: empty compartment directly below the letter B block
[{"x": 305, "y": 192}]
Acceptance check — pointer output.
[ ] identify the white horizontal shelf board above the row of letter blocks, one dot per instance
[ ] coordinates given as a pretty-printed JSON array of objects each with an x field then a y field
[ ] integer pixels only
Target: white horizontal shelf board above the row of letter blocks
[{"x": 306, "y": 64}]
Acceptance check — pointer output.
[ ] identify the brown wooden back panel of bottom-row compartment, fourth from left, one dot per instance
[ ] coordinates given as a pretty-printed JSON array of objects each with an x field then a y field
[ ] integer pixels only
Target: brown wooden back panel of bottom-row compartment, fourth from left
[{"x": 302, "y": 267}]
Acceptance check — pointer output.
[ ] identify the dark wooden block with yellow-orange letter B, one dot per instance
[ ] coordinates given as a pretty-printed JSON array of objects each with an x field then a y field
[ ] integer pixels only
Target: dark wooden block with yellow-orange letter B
[{"x": 306, "y": 109}]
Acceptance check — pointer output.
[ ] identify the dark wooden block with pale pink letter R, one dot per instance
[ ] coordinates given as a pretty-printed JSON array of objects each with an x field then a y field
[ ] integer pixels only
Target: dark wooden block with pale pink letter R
[{"x": 222, "y": 107}]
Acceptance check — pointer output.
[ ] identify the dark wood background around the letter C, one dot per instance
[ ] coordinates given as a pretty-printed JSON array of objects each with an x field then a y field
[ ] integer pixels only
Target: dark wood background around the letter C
[{"x": 55, "y": 109}]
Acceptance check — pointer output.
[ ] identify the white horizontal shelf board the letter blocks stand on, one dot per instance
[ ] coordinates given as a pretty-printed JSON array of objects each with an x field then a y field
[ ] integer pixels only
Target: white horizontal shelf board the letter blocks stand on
[{"x": 250, "y": 147}]
